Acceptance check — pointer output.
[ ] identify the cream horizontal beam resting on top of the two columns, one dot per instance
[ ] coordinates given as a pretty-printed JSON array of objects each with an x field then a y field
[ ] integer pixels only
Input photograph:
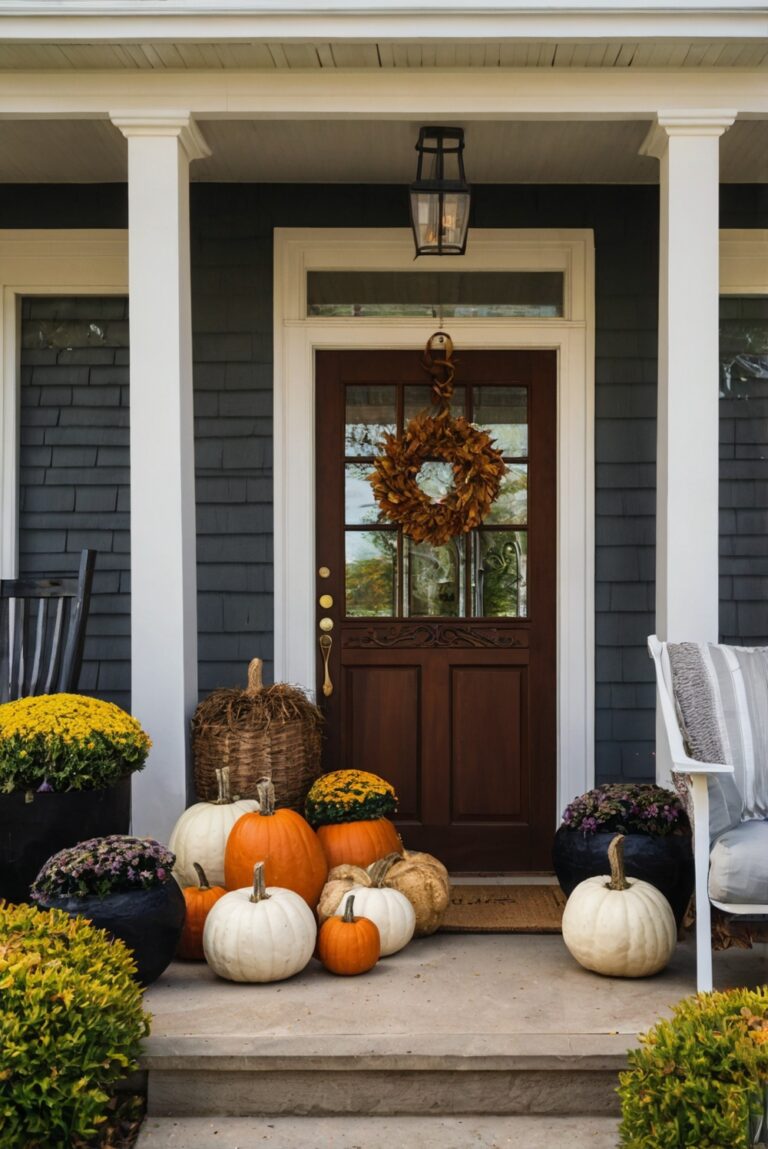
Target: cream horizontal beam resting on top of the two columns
[{"x": 388, "y": 95}]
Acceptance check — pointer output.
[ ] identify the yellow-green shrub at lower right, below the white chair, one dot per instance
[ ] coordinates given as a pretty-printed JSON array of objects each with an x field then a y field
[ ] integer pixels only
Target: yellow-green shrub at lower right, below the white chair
[{"x": 700, "y": 1076}]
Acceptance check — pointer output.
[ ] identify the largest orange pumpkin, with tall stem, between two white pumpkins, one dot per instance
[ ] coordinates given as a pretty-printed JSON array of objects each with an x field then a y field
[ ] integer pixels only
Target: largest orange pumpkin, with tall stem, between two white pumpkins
[{"x": 288, "y": 846}]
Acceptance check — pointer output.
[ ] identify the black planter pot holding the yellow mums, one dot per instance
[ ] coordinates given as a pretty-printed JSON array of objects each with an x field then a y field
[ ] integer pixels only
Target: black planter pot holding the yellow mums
[{"x": 32, "y": 832}]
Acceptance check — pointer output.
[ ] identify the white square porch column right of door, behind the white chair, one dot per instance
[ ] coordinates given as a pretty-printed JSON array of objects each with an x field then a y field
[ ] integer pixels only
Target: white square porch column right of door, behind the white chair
[{"x": 687, "y": 437}]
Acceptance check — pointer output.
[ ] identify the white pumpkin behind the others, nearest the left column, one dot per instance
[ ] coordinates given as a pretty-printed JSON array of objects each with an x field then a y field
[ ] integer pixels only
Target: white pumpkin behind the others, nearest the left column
[{"x": 201, "y": 835}]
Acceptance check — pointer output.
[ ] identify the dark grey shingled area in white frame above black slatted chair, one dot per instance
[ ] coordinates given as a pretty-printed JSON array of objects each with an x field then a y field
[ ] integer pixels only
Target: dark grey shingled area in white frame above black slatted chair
[{"x": 75, "y": 471}]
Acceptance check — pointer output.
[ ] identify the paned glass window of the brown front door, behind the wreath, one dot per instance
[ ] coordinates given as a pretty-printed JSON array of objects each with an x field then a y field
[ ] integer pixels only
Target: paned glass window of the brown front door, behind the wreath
[{"x": 483, "y": 574}]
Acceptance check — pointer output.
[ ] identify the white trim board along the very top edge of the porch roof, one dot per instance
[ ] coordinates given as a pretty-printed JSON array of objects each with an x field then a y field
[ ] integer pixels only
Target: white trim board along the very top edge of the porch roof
[{"x": 426, "y": 21}]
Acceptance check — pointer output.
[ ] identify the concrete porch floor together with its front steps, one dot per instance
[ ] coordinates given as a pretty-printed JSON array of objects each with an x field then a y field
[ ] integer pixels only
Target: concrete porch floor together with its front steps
[{"x": 505, "y": 1028}]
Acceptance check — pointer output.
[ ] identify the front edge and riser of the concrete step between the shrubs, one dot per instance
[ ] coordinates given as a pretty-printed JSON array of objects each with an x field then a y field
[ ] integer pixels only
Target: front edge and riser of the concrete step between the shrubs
[{"x": 446, "y": 1075}]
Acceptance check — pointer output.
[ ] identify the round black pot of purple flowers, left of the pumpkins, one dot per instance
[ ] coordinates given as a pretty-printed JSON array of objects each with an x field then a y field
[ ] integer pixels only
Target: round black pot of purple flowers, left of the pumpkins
[{"x": 149, "y": 921}]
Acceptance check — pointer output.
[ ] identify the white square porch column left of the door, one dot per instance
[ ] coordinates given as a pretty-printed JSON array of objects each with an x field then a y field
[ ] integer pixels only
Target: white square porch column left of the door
[{"x": 164, "y": 580}]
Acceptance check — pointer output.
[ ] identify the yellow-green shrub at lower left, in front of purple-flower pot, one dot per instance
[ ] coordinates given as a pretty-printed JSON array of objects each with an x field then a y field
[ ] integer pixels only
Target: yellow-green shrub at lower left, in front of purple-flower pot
[{"x": 71, "y": 1025}]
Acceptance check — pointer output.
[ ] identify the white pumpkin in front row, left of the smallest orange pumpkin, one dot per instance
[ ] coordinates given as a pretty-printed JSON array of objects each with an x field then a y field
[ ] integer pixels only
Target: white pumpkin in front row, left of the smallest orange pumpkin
[{"x": 260, "y": 935}]
